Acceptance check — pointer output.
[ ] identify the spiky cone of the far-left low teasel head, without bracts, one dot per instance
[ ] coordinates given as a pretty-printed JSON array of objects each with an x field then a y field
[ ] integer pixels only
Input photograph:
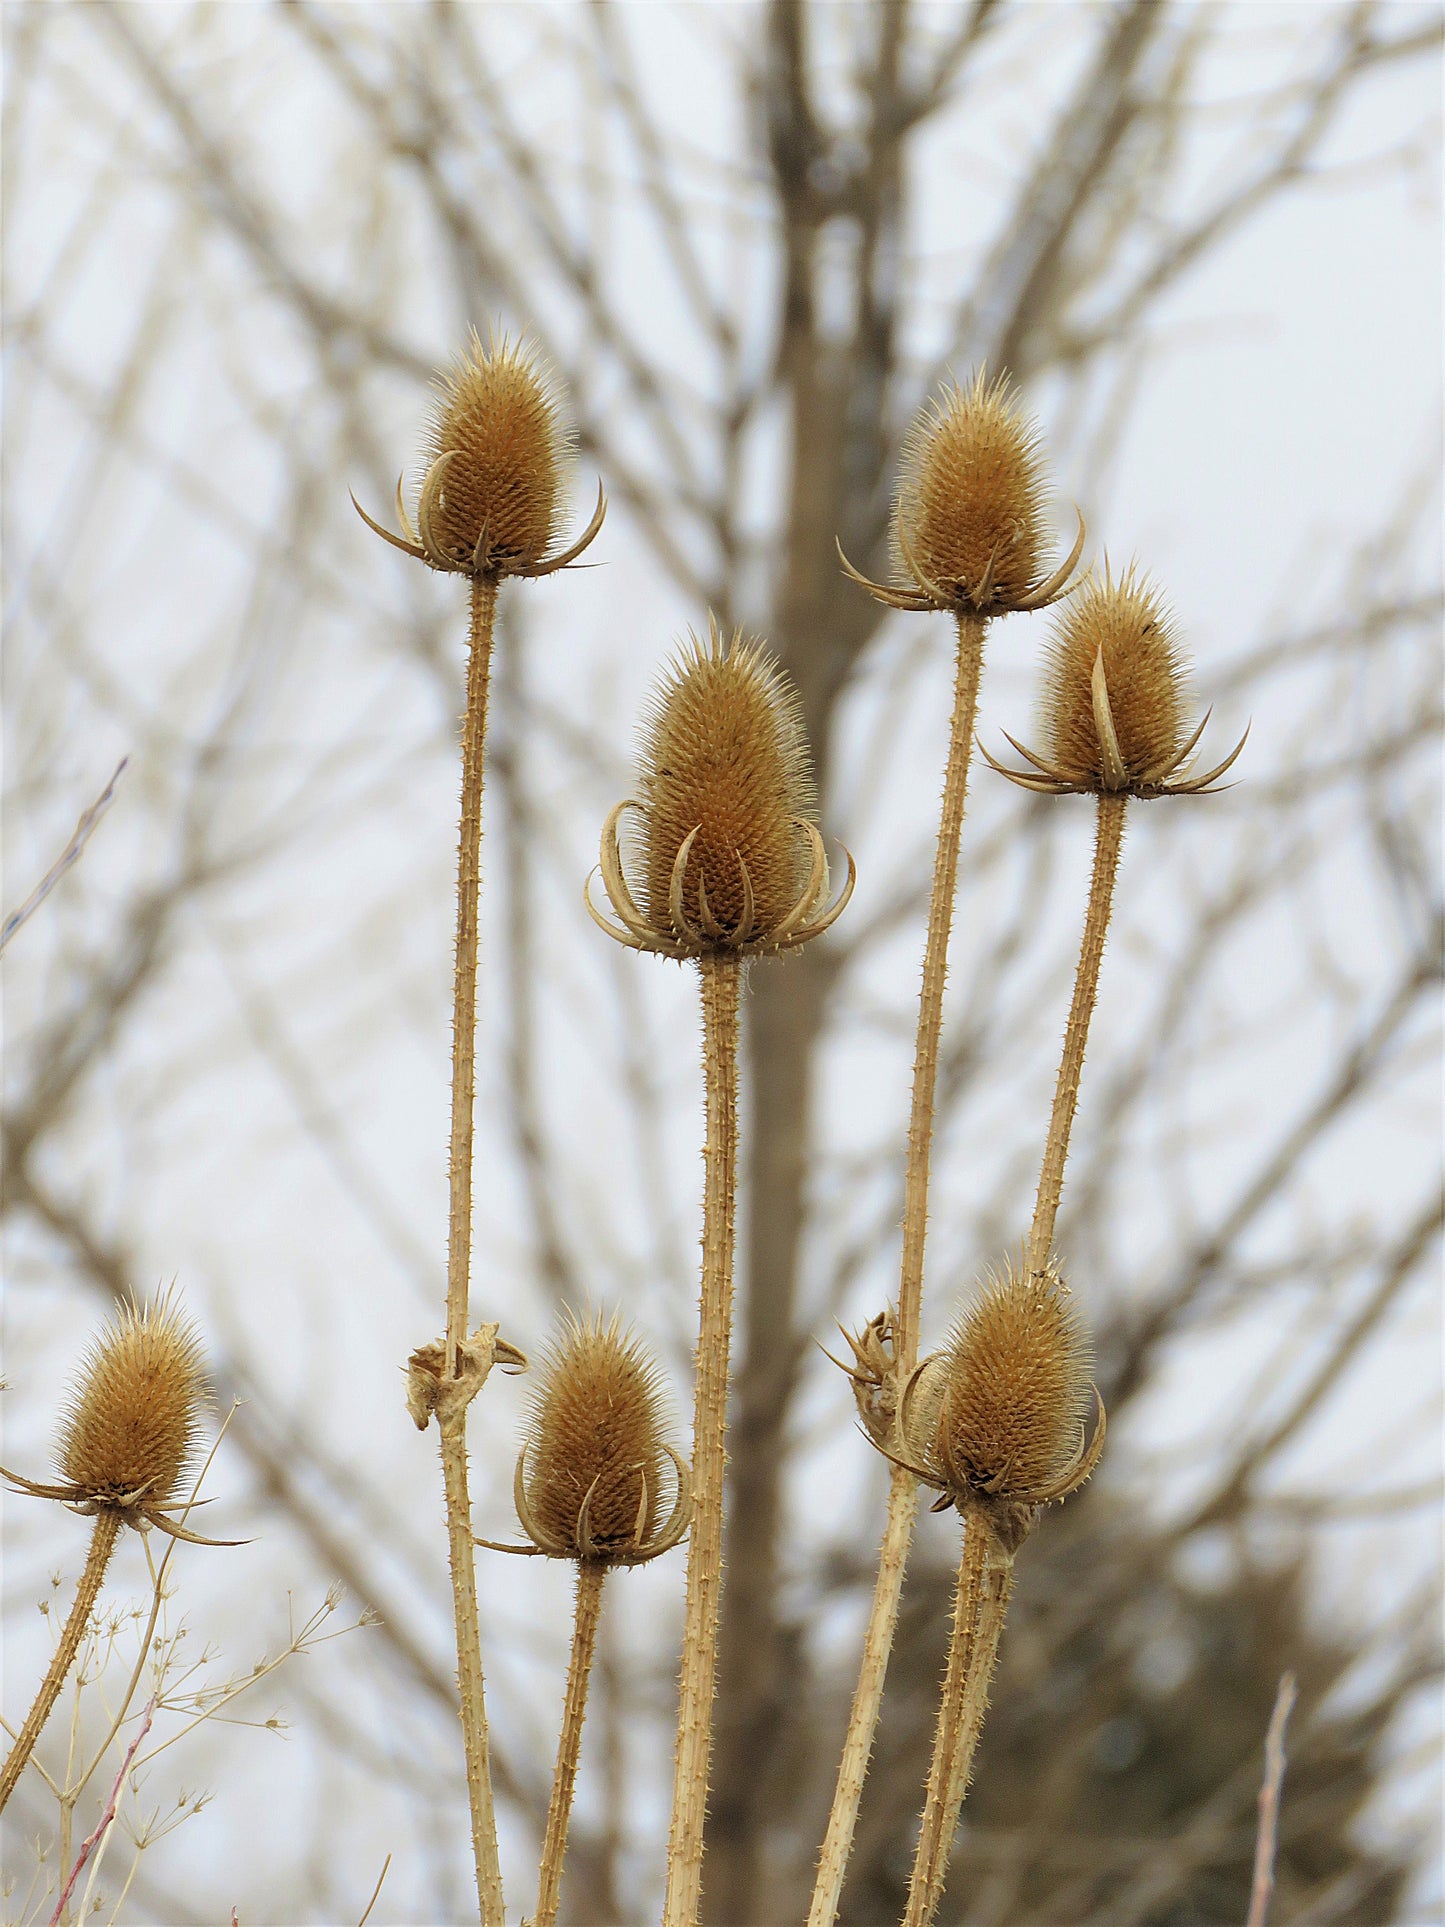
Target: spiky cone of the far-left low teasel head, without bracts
[{"x": 134, "y": 1413}]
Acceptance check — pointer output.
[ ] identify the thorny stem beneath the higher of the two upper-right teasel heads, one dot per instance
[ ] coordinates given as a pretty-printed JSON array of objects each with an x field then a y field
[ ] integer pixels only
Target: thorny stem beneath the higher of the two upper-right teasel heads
[{"x": 903, "y": 1489}]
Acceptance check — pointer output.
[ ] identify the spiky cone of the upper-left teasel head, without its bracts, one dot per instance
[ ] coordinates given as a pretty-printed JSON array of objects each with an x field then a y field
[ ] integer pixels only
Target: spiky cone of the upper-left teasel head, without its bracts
[{"x": 500, "y": 421}]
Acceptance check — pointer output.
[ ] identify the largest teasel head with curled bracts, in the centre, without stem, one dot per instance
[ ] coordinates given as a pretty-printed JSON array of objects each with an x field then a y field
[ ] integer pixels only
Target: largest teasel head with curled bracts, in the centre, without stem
[{"x": 729, "y": 849}]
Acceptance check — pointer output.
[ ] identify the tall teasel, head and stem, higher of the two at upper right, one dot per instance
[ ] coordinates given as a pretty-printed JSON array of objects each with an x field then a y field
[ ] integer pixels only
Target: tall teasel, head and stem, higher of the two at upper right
[{"x": 968, "y": 533}]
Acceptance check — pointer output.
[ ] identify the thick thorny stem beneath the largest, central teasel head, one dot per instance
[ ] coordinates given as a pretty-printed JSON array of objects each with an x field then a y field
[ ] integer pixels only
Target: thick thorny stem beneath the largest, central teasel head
[{"x": 696, "y": 1685}]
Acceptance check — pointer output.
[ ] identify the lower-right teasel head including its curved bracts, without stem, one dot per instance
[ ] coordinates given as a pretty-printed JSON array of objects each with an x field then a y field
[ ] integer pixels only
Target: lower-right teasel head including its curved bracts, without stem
[{"x": 999, "y": 1417}]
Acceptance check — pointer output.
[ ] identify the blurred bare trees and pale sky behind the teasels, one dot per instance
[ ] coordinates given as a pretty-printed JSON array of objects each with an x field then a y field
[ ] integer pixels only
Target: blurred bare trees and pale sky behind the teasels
[{"x": 240, "y": 242}]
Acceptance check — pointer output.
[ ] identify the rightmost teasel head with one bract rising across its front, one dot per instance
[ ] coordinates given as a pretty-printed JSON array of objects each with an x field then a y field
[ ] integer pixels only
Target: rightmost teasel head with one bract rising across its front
[{"x": 1117, "y": 699}]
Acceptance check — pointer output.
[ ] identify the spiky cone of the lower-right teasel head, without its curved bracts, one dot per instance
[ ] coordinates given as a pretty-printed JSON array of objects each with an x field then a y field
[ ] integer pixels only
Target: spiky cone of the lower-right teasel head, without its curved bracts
[{"x": 1016, "y": 1392}]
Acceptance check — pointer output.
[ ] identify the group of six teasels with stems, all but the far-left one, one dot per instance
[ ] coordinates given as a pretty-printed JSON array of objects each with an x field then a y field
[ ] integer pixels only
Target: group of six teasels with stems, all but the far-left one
[{"x": 718, "y": 858}]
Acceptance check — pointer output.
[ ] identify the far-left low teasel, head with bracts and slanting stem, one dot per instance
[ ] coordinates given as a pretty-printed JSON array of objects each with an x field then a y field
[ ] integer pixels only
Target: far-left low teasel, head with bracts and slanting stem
[{"x": 128, "y": 1433}]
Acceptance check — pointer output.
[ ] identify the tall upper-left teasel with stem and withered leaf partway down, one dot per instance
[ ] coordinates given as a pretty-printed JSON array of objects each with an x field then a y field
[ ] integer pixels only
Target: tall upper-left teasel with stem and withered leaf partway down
[{"x": 488, "y": 508}]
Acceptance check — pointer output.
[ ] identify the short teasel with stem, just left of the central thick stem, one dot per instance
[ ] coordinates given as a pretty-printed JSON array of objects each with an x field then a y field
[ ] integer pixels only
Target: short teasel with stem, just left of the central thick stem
[{"x": 600, "y": 1464}]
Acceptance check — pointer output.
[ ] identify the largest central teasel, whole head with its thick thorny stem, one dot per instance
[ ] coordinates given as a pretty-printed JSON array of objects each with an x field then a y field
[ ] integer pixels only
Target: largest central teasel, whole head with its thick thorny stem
[{"x": 733, "y": 868}]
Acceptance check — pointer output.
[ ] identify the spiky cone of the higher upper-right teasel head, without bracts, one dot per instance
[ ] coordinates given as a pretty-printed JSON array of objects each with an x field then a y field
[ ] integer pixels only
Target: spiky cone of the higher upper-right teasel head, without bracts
[{"x": 972, "y": 492}]
